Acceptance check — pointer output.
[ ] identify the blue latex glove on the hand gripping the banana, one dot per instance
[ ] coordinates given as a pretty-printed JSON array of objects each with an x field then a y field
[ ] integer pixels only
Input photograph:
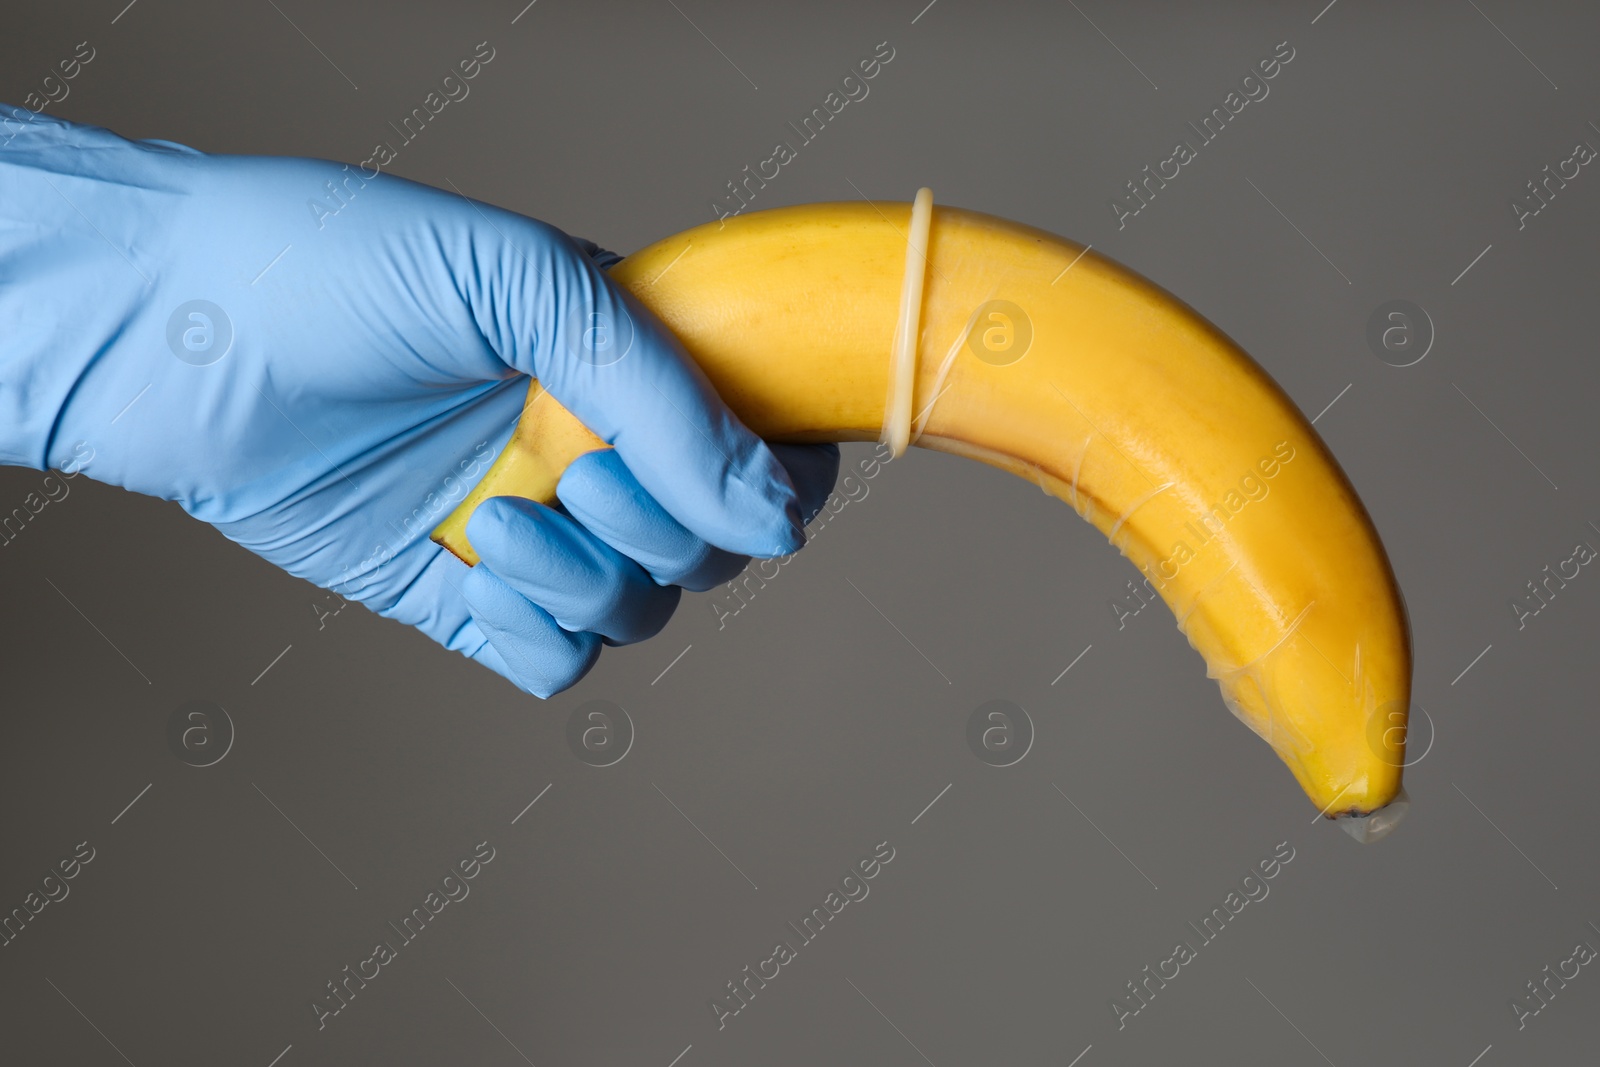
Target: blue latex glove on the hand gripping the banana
[{"x": 321, "y": 362}]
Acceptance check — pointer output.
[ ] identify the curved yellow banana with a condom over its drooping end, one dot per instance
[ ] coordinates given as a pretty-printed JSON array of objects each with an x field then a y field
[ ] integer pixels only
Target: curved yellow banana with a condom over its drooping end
[{"x": 1052, "y": 362}]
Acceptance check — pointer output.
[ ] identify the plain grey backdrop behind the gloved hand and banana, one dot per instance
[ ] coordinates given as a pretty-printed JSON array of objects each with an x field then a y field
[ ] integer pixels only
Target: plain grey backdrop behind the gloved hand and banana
[{"x": 809, "y": 730}]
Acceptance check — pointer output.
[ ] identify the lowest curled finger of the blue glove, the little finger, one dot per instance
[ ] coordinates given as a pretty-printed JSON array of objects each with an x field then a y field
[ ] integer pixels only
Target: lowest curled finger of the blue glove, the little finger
[{"x": 526, "y": 644}]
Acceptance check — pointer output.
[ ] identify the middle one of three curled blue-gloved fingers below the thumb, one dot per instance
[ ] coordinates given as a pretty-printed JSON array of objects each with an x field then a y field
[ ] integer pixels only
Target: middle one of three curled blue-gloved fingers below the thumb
[{"x": 583, "y": 583}]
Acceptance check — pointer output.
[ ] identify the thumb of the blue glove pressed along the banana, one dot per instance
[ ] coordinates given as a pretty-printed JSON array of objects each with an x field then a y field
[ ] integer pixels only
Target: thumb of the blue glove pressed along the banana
[{"x": 553, "y": 313}]
